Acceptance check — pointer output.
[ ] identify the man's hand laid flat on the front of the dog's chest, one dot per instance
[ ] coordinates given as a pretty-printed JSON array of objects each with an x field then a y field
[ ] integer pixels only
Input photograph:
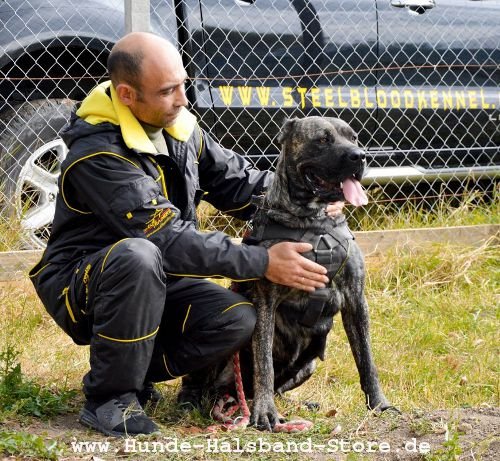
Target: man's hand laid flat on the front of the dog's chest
[{"x": 288, "y": 267}]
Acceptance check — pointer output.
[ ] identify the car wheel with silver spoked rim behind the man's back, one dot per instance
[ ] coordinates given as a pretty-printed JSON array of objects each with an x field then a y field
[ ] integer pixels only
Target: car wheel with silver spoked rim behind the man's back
[{"x": 31, "y": 153}]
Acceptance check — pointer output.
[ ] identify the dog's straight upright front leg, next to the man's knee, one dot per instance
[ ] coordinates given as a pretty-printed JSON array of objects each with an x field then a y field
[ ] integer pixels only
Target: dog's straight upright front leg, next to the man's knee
[{"x": 264, "y": 412}]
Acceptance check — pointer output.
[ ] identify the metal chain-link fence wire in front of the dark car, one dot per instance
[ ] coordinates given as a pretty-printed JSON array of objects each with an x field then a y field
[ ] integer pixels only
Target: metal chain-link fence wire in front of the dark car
[{"x": 417, "y": 79}]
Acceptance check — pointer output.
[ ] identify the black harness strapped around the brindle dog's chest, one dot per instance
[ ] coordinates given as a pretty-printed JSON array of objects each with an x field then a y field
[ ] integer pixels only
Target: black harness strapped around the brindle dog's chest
[{"x": 331, "y": 246}]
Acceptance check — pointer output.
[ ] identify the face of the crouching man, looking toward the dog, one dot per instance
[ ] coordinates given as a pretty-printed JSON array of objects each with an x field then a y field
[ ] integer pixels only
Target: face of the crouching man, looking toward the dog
[{"x": 161, "y": 95}]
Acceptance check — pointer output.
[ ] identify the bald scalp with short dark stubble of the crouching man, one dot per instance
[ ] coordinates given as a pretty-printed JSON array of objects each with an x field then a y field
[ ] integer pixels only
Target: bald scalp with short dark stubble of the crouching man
[{"x": 135, "y": 53}]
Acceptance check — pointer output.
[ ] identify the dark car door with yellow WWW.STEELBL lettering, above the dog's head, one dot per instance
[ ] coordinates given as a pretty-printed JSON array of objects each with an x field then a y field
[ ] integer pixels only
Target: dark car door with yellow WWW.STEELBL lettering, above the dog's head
[{"x": 279, "y": 58}]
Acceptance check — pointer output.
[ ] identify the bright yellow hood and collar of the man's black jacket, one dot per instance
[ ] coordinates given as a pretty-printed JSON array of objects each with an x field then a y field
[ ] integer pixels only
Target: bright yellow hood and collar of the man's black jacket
[{"x": 98, "y": 107}]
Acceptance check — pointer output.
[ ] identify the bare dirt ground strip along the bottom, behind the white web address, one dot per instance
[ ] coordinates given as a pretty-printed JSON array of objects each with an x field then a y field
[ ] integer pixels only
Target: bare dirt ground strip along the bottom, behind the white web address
[{"x": 461, "y": 434}]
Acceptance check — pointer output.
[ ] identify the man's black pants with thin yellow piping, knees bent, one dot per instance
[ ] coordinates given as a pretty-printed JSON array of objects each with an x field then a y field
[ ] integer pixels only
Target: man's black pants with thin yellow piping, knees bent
[{"x": 140, "y": 326}]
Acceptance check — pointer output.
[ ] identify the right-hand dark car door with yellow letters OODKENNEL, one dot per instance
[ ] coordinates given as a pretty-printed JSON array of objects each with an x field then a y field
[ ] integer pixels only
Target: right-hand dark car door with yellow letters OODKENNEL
[{"x": 438, "y": 88}]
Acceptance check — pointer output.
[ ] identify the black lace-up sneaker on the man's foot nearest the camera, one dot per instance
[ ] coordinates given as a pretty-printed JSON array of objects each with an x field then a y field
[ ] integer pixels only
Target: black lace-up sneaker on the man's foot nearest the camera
[{"x": 120, "y": 416}]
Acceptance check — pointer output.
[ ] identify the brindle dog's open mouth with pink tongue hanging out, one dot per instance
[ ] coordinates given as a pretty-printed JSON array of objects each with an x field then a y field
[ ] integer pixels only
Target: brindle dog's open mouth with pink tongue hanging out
[{"x": 349, "y": 188}]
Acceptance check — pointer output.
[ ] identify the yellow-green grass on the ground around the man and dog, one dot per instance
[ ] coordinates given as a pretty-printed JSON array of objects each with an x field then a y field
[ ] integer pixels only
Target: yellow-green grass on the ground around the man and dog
[{"x": 434, "y": 317}]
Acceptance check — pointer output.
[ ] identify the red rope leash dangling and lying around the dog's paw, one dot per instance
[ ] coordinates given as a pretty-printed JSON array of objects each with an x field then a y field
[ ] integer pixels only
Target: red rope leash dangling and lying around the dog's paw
[{"x": 227, "y": 406}]
